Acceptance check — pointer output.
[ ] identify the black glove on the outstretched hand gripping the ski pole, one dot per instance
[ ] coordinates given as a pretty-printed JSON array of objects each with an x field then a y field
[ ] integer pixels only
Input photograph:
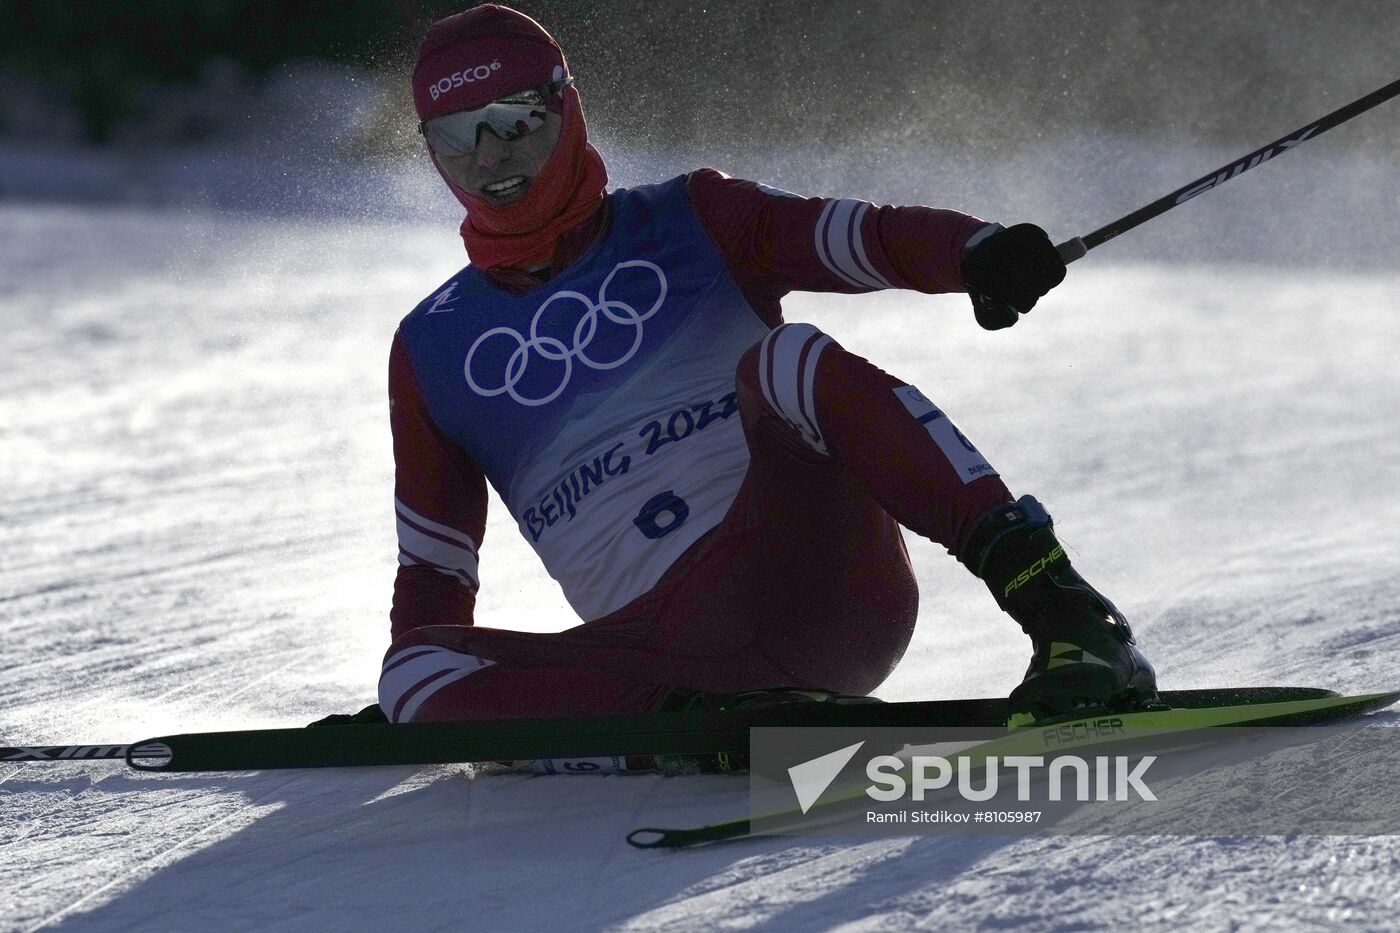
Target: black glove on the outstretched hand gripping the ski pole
[{"x": 1009, "y": 271}]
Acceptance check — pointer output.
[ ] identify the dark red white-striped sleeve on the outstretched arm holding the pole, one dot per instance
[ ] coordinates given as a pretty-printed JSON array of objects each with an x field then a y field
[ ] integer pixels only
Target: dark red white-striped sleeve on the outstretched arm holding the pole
[{"x": 775, "y": 242}]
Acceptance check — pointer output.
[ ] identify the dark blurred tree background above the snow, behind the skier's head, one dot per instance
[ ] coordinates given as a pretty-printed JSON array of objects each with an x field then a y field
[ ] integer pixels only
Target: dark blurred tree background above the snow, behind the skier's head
[{"x": 801, "y": 74}]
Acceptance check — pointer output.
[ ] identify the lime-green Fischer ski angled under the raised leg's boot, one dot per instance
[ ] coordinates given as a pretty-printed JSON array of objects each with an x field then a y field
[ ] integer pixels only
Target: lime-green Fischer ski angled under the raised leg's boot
[{"x": 1188, "y": 714}]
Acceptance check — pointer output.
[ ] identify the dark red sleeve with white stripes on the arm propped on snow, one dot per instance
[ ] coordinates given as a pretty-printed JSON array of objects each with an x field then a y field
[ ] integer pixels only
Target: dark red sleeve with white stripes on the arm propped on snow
[{"x": 440, "y": 506}]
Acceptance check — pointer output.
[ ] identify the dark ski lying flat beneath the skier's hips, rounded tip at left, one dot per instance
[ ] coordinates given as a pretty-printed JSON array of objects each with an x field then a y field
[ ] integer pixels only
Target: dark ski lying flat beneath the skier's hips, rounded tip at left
[{"x": 618, "y": 736}]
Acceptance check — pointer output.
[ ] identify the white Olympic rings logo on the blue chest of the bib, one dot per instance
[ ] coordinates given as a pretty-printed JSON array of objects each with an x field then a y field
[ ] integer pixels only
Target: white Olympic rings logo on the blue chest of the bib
[{"x": 555, "y": 351}]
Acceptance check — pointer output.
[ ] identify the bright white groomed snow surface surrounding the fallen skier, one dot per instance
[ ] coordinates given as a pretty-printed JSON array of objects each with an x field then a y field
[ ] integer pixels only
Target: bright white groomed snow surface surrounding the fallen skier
[{"x": 197, "y": 534}]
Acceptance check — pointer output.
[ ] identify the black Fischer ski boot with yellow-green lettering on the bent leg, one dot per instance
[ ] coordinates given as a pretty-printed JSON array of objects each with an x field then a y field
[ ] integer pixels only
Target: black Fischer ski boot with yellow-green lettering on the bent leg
[{"x": 1086, "y": 658}]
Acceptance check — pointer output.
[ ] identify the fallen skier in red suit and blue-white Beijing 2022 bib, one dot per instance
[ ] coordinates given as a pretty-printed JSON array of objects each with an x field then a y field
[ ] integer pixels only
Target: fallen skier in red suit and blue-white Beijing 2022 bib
[{"x": 717, "y": 492}]
